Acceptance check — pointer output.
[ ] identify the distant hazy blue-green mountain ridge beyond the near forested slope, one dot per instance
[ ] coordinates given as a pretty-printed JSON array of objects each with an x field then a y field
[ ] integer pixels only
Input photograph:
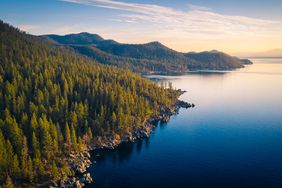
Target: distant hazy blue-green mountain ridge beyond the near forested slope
[{"x": 151, "y": 57}]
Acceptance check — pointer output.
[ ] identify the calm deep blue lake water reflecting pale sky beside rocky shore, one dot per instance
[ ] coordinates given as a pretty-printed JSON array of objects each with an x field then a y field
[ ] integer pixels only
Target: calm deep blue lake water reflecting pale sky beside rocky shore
[{"x": 232, "y": 138}]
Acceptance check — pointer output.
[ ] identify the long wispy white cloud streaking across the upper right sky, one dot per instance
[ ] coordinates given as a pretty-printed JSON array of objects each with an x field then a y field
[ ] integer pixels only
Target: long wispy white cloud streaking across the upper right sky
[{"x": 196, "y": 20}]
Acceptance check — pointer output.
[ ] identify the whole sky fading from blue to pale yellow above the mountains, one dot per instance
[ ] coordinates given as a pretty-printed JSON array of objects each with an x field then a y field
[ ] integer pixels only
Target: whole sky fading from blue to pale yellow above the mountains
[{"x": 184, "y": 25}]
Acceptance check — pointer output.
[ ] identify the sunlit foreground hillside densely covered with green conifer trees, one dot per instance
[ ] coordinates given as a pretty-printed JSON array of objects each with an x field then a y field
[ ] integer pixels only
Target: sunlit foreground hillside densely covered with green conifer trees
[{"x": 54, "y": 101}]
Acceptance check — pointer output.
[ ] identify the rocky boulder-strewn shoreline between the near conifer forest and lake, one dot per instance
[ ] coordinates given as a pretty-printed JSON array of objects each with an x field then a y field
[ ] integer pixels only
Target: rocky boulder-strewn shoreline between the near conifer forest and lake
[{"x": 79, "y": 162}]
